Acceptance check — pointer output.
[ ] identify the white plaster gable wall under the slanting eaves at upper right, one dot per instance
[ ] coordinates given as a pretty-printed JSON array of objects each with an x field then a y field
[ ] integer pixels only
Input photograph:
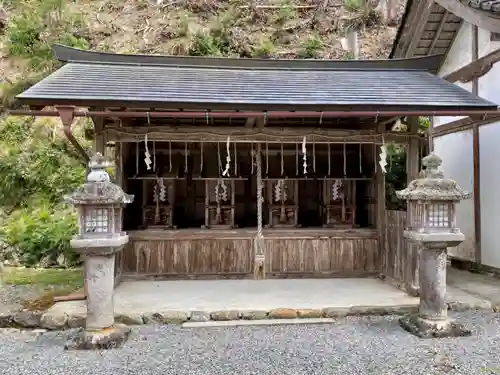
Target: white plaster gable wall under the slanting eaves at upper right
[{"x": 459, "y": 55}]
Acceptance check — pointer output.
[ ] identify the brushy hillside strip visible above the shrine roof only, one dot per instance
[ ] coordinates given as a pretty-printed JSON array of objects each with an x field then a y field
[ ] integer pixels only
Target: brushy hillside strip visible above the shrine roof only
[{"x": 267, "y": 29}]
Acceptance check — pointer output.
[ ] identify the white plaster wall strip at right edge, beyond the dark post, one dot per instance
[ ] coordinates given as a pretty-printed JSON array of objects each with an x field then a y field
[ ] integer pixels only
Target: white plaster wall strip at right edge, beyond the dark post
[{"x": 489, "y": 154}]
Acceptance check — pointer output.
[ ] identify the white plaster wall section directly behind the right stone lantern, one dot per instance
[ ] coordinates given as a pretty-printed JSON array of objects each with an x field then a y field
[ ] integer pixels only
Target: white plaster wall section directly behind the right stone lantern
[{"x": 456, "y": 151}]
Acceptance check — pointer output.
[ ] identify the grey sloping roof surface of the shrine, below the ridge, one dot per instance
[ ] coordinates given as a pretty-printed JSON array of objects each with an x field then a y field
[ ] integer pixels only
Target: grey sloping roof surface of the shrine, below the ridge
[{"x": 203, "y": 86}]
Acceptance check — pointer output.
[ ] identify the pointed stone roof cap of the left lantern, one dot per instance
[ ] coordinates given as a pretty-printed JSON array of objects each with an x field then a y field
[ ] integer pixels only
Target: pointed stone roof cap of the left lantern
[{"x": 98, "y": 189}]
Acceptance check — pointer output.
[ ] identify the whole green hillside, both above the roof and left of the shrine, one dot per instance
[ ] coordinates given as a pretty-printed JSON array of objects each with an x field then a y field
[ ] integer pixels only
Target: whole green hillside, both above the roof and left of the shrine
[{"x": 37, "y": 166}]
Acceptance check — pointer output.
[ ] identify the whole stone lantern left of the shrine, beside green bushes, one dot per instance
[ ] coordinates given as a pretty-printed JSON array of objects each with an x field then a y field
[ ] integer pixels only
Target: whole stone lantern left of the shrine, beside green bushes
[{"x": 99, "y": 204}]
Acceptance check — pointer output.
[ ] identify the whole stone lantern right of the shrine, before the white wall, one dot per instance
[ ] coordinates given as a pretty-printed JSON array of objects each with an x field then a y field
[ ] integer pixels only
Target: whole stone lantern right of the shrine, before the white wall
[{"x": 431, "y": 201}]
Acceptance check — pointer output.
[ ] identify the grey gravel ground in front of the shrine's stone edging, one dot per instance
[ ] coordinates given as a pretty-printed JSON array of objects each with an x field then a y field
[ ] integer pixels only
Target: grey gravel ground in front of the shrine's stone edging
[{"x": 368, "y": 345}]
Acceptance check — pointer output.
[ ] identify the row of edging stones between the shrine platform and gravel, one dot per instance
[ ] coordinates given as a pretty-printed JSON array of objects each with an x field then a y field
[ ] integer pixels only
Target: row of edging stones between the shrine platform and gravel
[{"x": 51, "y": 321}]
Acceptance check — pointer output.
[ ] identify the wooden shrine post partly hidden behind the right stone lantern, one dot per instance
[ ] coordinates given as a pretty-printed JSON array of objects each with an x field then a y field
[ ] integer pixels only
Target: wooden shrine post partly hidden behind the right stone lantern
[{"x": 412, "y": 171}]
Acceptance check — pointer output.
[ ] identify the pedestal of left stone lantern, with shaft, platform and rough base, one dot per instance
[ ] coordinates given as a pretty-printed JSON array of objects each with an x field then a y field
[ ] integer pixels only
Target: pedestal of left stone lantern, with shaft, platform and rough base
[{"x": 100, "y": 332}]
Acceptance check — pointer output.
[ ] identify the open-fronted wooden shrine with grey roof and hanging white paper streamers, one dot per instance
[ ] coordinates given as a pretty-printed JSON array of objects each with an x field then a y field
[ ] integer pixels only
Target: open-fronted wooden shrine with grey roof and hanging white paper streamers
[{"x": 249, "y": 171}]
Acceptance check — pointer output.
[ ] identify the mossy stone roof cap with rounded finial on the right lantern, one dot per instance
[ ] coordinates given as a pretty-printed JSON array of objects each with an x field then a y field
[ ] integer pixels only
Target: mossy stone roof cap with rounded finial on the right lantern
[{"x": 432, "y": 185}]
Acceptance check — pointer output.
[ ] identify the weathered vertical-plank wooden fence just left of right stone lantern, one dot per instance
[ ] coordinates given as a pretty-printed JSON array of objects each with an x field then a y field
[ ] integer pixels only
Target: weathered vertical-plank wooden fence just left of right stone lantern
[{"x": 399, "y": 258}]
